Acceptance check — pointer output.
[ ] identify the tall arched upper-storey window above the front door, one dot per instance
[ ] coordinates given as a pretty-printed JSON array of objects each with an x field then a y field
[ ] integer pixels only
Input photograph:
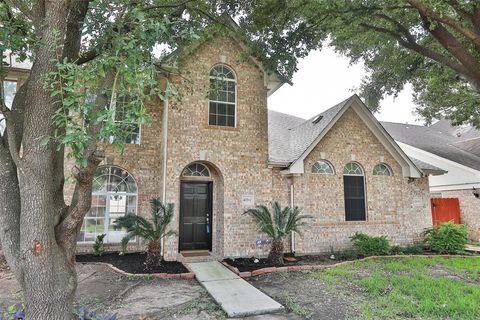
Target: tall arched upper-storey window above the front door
[{"x": 222, "y": 97}]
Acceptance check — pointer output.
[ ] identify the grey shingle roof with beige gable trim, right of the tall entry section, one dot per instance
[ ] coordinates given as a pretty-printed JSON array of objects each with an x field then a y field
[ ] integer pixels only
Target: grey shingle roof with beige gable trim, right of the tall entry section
[{"x": 291, "y": 141}]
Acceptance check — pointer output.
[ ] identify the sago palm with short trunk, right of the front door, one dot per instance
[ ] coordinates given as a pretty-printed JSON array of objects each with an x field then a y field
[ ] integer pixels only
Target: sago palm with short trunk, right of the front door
[{"x": 277, "y": 224}]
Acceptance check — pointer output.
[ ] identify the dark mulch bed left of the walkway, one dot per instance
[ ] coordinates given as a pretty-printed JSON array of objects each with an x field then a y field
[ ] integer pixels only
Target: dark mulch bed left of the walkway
[{"x": 134, "y": 263}]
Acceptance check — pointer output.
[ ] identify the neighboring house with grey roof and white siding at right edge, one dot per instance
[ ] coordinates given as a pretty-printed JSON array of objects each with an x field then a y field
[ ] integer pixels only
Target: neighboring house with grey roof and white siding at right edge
[{"x": 454, "y": 149}]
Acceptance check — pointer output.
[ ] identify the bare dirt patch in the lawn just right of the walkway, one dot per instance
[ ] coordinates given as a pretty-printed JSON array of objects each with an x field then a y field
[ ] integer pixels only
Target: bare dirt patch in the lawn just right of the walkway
[{"x": 308, "y": 298}]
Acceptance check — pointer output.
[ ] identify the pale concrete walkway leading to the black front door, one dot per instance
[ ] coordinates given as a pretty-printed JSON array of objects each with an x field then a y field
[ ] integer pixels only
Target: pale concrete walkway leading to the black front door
[{"x": 237, "y": 297}]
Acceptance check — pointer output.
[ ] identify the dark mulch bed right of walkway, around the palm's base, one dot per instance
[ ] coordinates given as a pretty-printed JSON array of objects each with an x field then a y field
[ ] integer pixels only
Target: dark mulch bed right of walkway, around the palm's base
[{"x": 249, "y": 264}]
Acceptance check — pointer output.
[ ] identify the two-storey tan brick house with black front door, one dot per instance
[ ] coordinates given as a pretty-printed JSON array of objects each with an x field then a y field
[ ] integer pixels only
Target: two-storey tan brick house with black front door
[{"x": 214, "y": 153}]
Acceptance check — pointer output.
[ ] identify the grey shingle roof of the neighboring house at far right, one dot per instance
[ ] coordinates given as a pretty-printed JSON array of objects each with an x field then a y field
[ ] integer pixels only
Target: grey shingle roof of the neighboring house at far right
[{"x": 458, "y": 144}]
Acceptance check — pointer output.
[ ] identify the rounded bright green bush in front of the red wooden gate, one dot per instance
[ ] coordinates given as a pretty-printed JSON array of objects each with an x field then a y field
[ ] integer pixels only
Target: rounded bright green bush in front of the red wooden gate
[{"x": 447, "y": 238}]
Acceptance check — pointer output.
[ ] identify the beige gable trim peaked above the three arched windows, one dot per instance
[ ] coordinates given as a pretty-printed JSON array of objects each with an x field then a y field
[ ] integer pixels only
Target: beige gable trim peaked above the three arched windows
[{"x": 413, "y": 171}]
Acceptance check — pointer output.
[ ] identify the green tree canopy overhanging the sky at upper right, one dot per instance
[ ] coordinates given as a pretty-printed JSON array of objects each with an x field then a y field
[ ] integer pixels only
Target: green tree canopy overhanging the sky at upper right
[{"x": 391, "y": 38}]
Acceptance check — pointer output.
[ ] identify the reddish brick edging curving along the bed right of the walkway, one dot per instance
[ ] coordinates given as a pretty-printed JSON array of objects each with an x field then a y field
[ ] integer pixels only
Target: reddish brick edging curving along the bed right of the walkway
[{"x": 254, "y": 273}]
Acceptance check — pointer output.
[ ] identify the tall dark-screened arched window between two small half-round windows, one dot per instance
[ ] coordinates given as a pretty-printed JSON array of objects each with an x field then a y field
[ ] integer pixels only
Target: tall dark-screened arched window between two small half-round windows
[{"x": 354, "y": 192}]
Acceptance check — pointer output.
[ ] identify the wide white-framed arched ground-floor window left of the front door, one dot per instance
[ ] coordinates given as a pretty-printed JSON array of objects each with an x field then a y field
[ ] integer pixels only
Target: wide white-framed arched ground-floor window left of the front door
[{"x": 114, "y": 195}]
